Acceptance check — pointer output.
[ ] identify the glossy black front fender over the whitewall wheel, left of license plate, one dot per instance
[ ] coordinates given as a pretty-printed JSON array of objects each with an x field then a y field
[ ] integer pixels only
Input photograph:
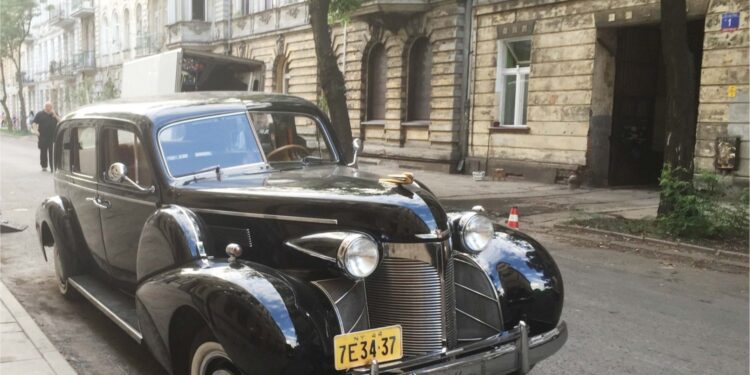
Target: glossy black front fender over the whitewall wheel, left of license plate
[{"x": 267, "y": 322}]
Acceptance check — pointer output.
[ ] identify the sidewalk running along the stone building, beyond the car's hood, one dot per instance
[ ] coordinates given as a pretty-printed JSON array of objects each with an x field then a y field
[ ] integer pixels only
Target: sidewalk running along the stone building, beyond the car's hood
[{"x": 540, "y": 204}]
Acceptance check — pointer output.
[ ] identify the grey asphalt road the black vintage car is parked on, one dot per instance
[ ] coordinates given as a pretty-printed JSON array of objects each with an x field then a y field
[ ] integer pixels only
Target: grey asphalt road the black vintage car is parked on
[{"x": 626, "y": 314}]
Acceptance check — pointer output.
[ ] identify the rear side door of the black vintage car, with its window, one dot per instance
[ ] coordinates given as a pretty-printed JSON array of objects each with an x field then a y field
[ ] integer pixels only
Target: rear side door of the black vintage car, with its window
[{"x": 78, "y": 170}]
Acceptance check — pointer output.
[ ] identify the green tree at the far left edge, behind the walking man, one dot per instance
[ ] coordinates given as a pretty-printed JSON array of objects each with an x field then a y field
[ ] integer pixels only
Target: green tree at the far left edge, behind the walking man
[{"x": 15, "y": 25}]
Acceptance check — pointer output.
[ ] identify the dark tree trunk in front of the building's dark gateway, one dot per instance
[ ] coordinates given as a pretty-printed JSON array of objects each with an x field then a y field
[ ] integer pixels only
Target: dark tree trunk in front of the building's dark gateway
[{"x": 681, "y": 104}]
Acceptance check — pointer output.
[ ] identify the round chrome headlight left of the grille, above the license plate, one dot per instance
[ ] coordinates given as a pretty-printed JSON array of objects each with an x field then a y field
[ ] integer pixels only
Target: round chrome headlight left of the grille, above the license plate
[{"x": 358, "y": 255}]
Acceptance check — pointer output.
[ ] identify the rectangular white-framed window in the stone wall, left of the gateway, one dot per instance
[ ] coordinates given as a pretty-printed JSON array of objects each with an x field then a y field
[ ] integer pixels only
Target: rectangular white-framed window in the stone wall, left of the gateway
[{"x": 512, "y": 87}]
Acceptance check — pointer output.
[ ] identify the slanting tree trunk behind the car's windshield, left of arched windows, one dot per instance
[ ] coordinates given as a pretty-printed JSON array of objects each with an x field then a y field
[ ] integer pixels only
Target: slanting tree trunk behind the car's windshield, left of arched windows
[{"x": 329, "y": 76}]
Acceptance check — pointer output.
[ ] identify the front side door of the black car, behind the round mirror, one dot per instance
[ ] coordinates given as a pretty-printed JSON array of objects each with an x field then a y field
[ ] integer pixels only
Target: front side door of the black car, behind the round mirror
[{"x": 129, "y": 204}]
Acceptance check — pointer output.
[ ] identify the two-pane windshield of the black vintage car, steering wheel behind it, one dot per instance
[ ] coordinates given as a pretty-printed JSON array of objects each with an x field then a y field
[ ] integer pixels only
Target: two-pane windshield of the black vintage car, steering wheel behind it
[{"x": 231, "y": 140}]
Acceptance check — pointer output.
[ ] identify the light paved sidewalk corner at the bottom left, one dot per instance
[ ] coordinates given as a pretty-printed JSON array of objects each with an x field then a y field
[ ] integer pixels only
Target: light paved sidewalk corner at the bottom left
[{"x": 24, "y": 349}]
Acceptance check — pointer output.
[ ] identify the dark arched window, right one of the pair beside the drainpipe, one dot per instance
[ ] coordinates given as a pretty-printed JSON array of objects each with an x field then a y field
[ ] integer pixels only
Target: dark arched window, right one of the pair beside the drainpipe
[{"x": 419, "y": 77}]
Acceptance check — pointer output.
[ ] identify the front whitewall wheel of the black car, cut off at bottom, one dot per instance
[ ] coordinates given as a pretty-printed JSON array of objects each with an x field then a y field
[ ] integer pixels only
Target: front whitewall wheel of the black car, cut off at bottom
[{"x": 209, "y": 358}]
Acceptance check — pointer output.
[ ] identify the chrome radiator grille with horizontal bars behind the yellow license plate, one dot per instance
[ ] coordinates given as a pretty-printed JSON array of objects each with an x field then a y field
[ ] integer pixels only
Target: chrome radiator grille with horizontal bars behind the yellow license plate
[{"x": 409, "y": 293}]
